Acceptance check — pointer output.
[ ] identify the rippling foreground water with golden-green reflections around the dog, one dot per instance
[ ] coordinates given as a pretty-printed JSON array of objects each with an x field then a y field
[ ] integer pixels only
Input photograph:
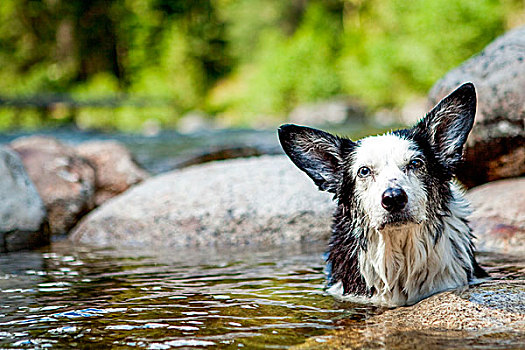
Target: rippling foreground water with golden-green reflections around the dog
[{"x": 79, "y": 297}]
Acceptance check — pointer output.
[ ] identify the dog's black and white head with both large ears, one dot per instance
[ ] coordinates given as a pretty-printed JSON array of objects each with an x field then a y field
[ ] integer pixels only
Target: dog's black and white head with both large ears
[{"x": 389, "y": 179}]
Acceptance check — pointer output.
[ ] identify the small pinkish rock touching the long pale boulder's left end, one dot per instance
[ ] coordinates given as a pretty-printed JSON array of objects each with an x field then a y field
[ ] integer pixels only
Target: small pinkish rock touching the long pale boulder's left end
[{"x": 115, "y": 169}]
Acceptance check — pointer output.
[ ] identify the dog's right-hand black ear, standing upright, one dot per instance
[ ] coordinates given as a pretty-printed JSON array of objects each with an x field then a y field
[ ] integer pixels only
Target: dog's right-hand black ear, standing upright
[{"x": 448, "y": 124}]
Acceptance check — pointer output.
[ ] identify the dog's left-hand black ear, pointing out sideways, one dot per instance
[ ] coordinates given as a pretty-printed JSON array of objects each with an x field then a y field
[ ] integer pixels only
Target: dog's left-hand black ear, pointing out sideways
[{"x": 317, "y": 153}]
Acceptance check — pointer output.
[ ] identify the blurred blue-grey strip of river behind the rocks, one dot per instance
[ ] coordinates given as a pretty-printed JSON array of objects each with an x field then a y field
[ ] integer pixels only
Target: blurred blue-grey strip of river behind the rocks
[{"x": 170, "y": 150}]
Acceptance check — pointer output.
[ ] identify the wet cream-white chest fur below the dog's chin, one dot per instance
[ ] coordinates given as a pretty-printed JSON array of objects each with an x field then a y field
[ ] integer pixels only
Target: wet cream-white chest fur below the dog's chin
[{"x": 405, "y": 265}]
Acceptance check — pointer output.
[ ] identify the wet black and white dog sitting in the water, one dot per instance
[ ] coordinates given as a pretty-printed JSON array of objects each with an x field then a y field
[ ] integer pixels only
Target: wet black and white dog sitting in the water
[{"x": 400, "y": 232}]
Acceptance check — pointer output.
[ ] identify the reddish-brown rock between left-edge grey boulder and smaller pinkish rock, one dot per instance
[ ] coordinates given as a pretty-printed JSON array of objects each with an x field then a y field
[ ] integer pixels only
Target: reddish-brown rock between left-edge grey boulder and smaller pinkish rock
[{"x": 64, "y": 180}]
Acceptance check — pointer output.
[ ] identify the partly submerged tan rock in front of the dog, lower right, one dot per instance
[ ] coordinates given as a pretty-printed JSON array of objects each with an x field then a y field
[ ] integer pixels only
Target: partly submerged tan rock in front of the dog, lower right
[{"x": 490, "y": 314}]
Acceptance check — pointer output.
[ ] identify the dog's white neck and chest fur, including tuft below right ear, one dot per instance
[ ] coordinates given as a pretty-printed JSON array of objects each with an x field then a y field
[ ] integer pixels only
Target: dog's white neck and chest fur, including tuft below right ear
[{"x": 405, "y": 264}]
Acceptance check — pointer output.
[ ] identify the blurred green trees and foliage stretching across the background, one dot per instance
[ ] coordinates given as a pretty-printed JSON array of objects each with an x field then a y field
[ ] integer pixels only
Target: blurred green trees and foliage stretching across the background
[{"x": 123, "y": 64}]
